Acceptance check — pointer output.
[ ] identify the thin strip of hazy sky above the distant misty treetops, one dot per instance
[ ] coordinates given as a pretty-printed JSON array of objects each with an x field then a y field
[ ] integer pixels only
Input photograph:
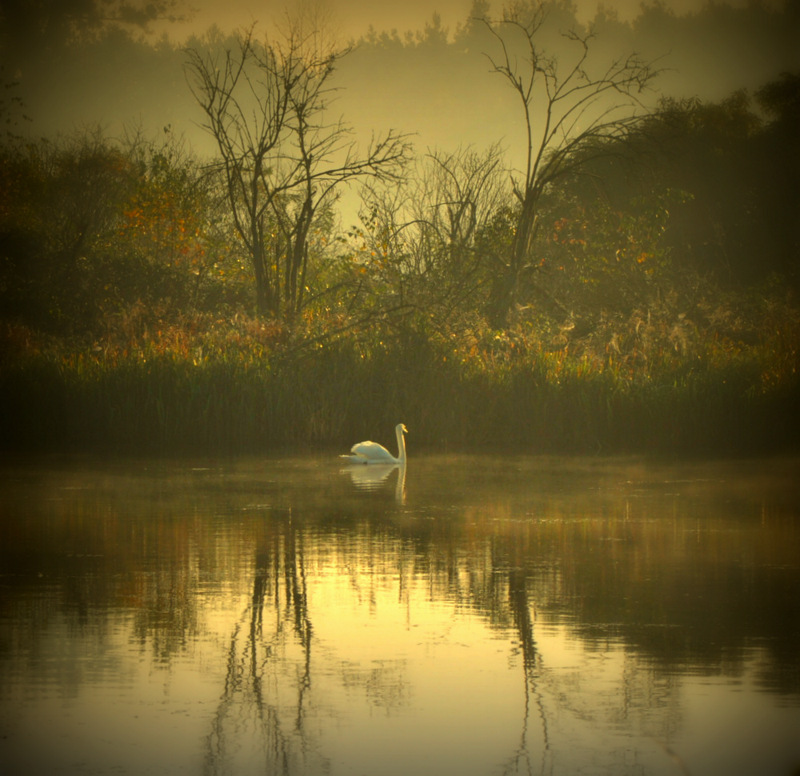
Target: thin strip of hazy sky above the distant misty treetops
[{"x": 352, "y": 18}]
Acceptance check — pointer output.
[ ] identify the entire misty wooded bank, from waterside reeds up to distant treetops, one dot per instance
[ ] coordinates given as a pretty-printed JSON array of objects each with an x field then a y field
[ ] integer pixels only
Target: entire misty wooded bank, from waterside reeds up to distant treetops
[{"x": 380, "y": 273}]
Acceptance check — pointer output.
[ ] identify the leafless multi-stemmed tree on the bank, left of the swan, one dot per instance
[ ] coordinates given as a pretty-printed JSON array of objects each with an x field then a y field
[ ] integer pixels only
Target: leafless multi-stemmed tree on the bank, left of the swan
[{"x": 265, "y": 105}]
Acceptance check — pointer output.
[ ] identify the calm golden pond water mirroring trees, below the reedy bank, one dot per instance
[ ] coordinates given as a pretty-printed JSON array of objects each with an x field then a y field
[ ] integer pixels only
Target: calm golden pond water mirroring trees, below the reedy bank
[{"x": 466, "y": 616}]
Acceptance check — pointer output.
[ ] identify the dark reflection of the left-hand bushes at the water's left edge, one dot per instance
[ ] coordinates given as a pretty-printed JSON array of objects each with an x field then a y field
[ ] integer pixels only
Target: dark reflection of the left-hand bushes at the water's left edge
[{"x": 104, "y": 560}]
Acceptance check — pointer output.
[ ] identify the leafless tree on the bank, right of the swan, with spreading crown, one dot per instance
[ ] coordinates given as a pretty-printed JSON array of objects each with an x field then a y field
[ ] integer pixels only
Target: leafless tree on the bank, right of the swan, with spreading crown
[{"x": 568, "y": 104}]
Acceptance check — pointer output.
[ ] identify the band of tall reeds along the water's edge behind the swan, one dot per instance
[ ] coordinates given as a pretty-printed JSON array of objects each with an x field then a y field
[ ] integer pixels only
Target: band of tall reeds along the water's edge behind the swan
[{"x": 241, "y": 394}]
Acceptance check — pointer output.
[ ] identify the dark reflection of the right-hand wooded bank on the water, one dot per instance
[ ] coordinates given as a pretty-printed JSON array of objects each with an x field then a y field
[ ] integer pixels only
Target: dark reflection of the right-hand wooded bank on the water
[{"x": 696, "y": 589}]
